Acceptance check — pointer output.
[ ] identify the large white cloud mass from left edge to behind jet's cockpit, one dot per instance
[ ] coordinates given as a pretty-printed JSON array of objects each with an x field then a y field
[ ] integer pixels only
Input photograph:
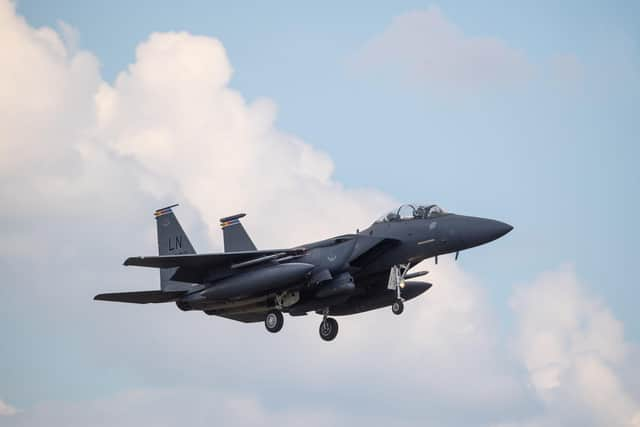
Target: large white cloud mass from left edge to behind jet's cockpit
[{"x": 170, "y": 126}]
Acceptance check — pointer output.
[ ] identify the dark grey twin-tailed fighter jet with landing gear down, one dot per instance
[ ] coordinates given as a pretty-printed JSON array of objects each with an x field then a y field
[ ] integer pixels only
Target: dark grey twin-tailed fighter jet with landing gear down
[{"x": 343, "y": 275}]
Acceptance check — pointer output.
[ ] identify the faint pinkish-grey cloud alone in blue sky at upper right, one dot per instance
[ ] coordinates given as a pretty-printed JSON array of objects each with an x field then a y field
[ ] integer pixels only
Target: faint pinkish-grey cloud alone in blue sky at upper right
[{"x": 425, "y": 47}]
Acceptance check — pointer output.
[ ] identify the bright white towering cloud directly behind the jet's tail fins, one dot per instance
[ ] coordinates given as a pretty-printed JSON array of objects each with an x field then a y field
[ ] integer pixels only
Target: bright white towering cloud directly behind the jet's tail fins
[{"x": 174, "y": 114}]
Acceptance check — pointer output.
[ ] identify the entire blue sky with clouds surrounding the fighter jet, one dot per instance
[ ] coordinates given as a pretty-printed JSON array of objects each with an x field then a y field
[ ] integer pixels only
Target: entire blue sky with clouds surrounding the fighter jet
[{"x": 315, "y": 120}]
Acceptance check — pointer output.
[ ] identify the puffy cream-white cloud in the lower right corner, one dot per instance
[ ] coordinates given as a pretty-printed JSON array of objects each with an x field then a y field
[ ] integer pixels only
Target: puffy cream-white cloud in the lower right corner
[{"x": 573, "y": 349}]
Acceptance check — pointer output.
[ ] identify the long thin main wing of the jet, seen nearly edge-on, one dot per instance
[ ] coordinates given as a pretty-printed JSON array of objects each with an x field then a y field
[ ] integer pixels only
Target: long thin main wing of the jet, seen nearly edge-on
[{"x": 227, "y": 259}]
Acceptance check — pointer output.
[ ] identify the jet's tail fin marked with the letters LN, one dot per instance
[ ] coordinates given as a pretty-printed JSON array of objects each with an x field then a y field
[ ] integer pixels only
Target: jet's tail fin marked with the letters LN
[{"x": 171, "y": 241}]
